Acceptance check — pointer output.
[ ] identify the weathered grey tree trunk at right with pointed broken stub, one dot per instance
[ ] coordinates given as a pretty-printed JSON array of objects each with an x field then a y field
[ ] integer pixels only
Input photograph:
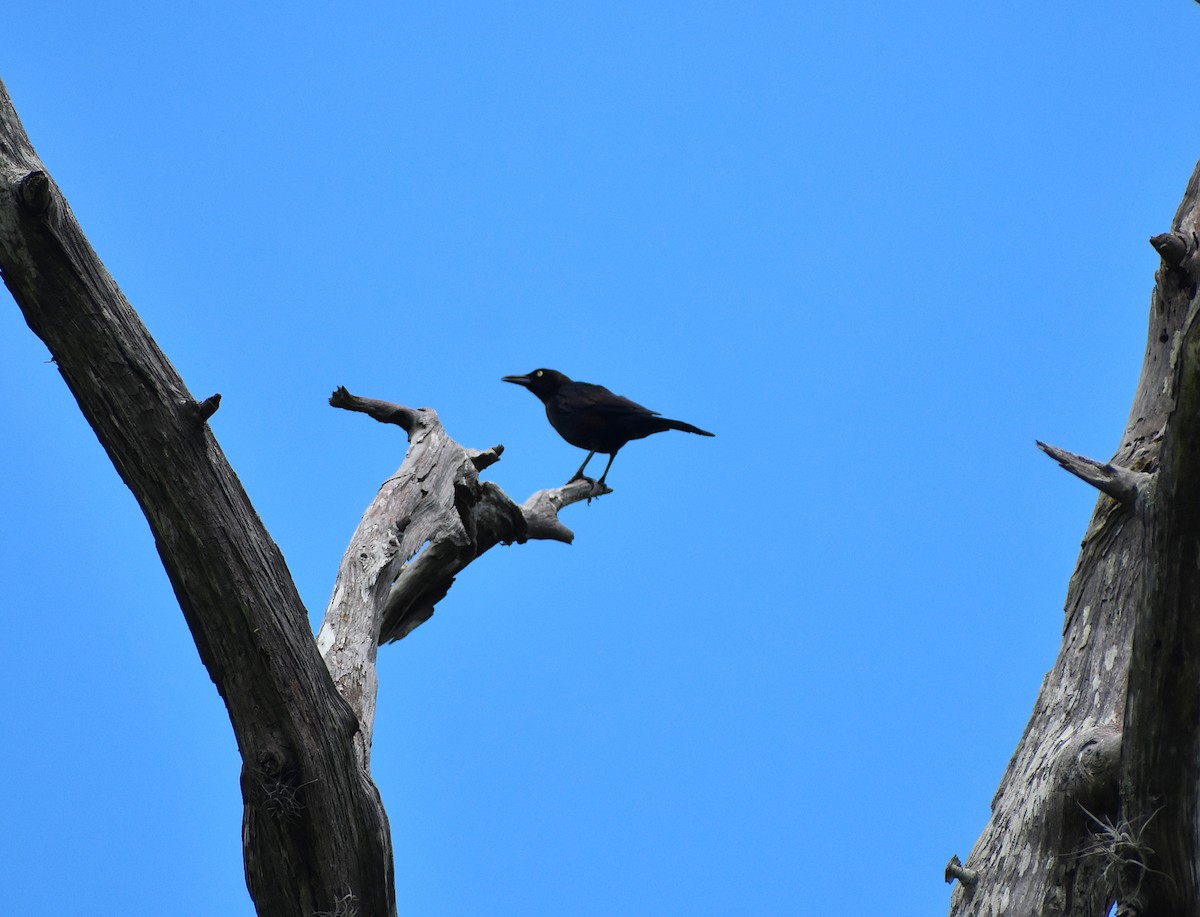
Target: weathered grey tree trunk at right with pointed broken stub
[{"x": 1100, "y": 802}]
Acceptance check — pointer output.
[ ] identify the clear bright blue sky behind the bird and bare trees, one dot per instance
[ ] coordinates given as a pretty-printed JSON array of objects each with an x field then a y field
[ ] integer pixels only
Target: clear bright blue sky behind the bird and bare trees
[{"x": 879, "y": 249}]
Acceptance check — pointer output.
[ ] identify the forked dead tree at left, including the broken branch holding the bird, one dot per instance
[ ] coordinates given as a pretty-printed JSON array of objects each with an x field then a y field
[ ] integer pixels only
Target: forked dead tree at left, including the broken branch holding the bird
[{"x": 315, "y": 831}]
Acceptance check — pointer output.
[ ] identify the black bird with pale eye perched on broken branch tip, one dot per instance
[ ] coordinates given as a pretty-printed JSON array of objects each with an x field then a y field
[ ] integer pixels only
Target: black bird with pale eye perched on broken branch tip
[{"x": 593, "y": 418}]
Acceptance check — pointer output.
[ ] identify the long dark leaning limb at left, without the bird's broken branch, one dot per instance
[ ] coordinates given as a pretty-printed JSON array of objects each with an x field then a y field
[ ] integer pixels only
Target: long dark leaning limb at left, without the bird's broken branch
[{"x": 315, "y": 830}]
